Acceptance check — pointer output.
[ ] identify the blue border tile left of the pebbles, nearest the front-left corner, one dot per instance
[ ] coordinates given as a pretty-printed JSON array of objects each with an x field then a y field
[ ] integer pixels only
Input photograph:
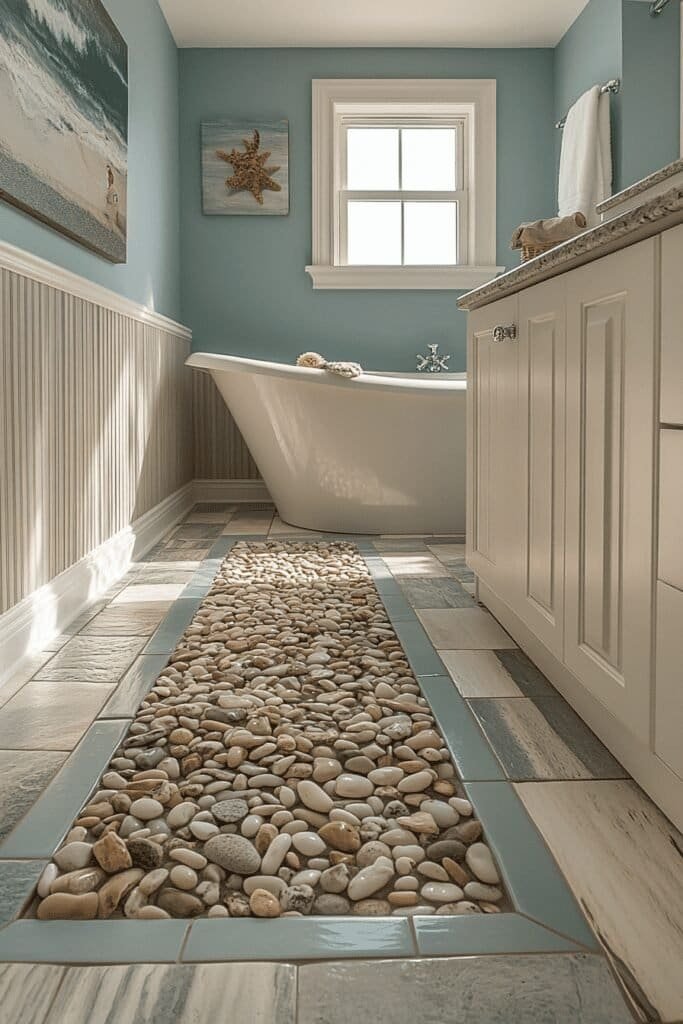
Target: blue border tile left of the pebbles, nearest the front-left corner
[{"x": 44, "y": 827}]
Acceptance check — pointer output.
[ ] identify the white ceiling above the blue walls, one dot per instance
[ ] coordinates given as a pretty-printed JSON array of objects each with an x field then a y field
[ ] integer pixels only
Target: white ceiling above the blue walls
[{"x": 370, "y": 23}]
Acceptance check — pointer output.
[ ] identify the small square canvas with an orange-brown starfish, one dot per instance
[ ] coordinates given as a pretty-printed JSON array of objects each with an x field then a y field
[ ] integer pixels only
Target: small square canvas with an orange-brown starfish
[{"x": 245, "y": 167}]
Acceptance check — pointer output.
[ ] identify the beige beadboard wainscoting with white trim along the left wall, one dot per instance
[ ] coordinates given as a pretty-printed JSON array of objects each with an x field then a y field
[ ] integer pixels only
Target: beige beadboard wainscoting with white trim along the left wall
[{"x": 96, "y": 443}]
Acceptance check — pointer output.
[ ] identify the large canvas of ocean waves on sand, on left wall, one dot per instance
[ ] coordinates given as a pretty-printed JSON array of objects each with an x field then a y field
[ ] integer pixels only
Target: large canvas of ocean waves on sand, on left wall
[{"x": 64, "y": 119}]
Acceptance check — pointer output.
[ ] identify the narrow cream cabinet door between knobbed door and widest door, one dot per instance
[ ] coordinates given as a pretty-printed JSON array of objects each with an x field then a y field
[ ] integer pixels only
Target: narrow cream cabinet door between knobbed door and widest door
[{"x": 541, "y": 502}]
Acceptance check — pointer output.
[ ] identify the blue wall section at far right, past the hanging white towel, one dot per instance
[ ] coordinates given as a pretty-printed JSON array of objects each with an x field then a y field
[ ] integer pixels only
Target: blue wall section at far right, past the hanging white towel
[{"x": 651, "y": 90}]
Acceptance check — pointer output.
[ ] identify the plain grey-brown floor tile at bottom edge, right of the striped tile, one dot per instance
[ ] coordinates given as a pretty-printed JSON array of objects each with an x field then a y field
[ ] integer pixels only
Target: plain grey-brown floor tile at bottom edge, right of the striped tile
[{"x": 543, "y": 990}]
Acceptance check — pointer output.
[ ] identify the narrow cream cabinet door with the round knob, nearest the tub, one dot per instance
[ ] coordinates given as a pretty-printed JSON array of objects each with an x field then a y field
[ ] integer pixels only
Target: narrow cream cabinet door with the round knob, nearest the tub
[{"x": 493, "y": 448}]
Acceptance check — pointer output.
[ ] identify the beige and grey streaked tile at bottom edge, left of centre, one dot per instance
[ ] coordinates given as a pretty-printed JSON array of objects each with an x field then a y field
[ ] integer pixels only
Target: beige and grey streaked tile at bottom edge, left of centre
[{"x": 263, "y": 994}]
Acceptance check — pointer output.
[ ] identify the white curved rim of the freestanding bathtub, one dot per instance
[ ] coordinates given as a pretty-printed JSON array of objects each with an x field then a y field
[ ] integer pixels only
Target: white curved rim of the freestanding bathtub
[{"x": 369, "y": 381}]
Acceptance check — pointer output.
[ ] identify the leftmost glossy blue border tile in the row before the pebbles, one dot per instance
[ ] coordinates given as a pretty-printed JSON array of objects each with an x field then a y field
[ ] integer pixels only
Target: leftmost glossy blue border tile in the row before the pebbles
[{"x": 116, "y": 942}]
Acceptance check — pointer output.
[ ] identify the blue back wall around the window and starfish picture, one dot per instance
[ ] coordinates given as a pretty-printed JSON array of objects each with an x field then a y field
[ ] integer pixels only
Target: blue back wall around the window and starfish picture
[{"x": 245, "y": 290}]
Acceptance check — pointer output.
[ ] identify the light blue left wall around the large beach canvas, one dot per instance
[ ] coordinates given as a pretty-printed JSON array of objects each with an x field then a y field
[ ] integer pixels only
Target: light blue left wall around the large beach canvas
[{"x": 152, "y": 275}]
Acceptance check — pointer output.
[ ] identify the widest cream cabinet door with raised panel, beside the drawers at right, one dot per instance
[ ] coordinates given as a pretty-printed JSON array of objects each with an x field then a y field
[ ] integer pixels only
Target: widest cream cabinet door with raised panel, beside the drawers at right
[{"x": 611, "y": 426}]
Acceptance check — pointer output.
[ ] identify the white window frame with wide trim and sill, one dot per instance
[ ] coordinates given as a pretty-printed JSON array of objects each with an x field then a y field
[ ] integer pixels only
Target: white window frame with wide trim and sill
[{"x": 469, "y": 104}]
